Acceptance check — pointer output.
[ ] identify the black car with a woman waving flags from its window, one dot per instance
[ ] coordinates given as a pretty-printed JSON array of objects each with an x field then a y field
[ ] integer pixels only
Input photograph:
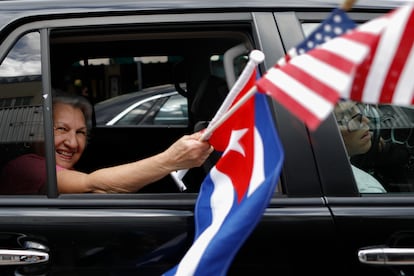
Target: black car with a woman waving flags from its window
[{"x": 317, "y": 222}]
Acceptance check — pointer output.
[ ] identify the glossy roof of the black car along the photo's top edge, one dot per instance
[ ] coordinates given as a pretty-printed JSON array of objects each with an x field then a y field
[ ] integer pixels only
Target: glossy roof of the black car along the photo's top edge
[{"x": 11, "y": 10}]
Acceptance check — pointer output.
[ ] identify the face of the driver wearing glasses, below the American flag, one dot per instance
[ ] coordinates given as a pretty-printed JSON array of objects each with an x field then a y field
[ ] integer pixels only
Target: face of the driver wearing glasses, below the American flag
[{"x": 355, "y": 133}]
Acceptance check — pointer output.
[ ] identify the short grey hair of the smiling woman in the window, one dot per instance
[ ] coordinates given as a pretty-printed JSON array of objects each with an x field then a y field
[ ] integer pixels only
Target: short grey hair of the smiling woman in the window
[{"x": 77, "y": 101}]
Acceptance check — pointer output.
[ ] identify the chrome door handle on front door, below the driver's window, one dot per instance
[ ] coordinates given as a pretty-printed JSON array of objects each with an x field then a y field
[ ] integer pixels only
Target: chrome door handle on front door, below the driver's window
[{"x": 386, "y": 256}]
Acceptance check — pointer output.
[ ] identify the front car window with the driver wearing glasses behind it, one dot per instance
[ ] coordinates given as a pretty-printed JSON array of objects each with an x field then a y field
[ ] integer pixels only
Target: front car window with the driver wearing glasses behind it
[{"x": 379, "y": 141}]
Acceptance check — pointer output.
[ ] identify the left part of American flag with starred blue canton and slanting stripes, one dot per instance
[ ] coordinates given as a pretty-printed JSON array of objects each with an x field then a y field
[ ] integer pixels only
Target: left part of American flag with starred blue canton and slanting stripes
[{"x": 306, "y": 79}]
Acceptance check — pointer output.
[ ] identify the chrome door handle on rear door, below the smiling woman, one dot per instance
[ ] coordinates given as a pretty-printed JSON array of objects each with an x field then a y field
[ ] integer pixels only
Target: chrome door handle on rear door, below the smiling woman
[{"x": 22, "y": 257}]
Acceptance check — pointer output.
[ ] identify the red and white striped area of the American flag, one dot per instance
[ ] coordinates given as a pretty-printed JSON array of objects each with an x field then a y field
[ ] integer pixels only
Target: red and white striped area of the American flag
[{"x": 371, "y": 64}]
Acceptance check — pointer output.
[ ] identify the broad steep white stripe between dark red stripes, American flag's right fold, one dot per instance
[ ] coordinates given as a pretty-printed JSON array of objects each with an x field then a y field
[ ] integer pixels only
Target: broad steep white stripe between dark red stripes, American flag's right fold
[{"x": 384, "y": 56}]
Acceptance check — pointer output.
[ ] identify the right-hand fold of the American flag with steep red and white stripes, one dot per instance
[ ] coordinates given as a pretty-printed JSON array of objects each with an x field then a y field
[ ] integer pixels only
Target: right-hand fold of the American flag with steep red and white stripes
[{"x": 385, "y": 75}]
